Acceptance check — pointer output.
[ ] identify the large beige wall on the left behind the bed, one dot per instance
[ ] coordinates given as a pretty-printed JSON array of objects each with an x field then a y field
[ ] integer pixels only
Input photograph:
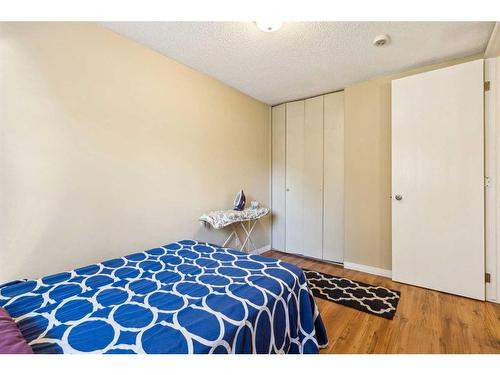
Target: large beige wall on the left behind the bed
[{"x": 108, "y": 147}]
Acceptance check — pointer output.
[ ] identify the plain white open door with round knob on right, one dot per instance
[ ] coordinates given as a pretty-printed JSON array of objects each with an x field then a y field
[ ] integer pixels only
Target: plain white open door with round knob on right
[{"x": 438, "y": 180}]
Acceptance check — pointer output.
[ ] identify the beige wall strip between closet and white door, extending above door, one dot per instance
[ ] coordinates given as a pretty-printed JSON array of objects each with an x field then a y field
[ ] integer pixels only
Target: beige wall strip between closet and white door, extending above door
[{"x": 368, "y": 169}]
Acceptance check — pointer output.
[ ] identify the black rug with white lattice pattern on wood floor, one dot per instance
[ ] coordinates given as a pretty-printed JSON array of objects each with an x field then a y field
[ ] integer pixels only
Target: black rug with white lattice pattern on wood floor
[{"x": 371, "y": 299}]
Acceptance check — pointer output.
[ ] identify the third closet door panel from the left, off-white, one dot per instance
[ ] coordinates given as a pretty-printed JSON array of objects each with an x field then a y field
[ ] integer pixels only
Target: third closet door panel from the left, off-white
[{"x": 313, "y": 178}]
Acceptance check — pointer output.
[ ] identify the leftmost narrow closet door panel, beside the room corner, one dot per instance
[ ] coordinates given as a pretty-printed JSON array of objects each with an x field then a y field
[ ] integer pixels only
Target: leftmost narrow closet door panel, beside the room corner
[{"x": 278, "y": 178}]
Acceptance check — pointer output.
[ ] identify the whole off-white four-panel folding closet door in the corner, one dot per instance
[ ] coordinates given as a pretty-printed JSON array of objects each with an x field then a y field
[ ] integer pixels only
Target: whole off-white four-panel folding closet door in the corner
[{"x": 305, "y": 123}]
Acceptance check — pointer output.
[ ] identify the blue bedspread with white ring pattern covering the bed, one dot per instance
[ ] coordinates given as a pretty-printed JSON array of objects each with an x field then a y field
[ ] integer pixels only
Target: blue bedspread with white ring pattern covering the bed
[{"x": 184, "y": 297}]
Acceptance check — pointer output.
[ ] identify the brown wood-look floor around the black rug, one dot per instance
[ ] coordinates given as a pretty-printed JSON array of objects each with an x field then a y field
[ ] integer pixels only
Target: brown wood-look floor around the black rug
[{"x": 426, "y": 321}]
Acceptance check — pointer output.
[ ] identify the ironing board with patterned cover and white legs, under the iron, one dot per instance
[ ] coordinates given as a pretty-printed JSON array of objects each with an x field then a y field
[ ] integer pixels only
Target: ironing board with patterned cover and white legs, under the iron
[{"x": 246, "y": 219}]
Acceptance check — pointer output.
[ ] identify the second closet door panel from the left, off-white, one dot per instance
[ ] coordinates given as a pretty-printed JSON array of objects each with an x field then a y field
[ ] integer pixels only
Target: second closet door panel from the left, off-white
[{"x": 294, "y": 176}]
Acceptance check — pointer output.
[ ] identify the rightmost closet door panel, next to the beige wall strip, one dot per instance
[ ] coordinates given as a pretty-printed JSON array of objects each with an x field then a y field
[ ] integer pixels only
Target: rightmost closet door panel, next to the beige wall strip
[{"x": 333, "y": 186}]
